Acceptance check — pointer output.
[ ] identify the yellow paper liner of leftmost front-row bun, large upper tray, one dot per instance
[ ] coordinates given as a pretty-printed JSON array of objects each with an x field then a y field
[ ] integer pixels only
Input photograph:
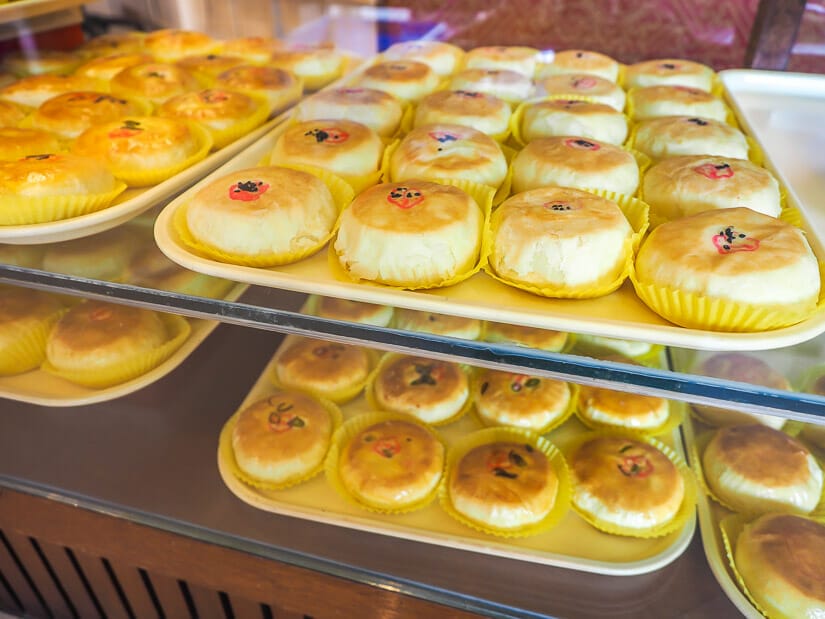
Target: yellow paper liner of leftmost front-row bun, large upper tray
[{"x": 341, "y": 192}]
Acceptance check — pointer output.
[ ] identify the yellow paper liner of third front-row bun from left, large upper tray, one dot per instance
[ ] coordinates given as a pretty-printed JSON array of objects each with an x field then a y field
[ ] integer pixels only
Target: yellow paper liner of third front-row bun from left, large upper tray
[{"x": 636, "y": 213}]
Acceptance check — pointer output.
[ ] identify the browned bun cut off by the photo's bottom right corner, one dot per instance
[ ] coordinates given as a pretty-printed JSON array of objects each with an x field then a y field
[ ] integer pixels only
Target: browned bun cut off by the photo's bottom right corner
[{"x": 781, "y": 558}]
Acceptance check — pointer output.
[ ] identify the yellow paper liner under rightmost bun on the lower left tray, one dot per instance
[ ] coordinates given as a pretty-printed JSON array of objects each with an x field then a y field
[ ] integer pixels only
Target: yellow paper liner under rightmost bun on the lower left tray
[{"x": 177, "y": 329}]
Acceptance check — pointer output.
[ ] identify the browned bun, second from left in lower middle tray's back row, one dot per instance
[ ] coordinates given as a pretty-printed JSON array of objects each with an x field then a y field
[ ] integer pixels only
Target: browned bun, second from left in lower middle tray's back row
[{"x": 430, "y": 390}]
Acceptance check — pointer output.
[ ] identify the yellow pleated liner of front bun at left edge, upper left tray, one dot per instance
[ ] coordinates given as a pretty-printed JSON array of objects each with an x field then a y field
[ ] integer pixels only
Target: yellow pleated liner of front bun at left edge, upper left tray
[{"x": 17, "y": 211}]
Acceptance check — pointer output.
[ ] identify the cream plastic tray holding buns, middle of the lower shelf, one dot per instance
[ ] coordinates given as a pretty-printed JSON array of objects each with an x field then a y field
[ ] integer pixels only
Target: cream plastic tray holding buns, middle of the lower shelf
[{"x": 573, "y": 544}]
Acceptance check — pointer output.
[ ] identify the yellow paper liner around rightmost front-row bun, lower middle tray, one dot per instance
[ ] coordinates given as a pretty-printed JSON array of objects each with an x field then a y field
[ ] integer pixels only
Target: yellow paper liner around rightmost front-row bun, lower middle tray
[{"x": 686, "y": 510}]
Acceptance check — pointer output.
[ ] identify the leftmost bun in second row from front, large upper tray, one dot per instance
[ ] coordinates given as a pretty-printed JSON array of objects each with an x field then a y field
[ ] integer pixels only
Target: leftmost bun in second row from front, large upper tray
[{"x": 343, "y": 147}]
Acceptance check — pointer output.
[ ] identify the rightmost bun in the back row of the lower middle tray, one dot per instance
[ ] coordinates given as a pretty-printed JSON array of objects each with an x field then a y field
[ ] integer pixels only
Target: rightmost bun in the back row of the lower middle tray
[{"x": 621, "y": 409}]
